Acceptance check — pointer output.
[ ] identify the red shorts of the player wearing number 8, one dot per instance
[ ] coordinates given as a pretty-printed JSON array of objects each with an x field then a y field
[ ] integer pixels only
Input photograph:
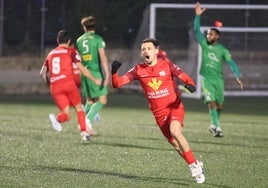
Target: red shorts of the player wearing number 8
[{"x": 65, "y": 94}]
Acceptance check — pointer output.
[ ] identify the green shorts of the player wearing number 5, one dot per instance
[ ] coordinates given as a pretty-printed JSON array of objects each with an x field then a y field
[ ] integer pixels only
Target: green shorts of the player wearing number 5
[{"x": 92, "y": 90}]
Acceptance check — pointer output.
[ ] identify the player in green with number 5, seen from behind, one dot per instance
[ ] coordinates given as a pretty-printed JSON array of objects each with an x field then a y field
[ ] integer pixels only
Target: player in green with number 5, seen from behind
[{"x": 91, "y": 48}]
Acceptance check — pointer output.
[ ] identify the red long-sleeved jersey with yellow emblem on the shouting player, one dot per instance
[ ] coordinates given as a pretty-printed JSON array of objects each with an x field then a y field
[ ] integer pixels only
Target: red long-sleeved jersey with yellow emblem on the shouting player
[{"x": 156, "y": 81}]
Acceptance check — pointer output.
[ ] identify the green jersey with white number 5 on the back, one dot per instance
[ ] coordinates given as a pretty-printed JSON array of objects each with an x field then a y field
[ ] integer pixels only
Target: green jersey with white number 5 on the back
[{"x": 88, "y": 45}]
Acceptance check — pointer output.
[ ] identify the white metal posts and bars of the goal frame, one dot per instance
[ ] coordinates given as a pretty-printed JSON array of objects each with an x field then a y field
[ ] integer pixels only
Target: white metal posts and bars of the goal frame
[{"x": 198, "y": 93}]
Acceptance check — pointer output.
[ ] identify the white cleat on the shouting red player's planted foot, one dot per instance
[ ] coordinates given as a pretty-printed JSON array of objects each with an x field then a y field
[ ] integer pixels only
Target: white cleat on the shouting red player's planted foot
[{"x": 197, "y": 171}]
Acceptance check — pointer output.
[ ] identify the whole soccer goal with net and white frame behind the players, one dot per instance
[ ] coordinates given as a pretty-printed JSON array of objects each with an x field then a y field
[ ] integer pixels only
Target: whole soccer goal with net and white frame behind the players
[{"x": 244, "y": 33}]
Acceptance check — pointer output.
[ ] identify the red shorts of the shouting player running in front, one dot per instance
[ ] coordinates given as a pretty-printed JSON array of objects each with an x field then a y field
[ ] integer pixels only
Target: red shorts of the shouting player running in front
[{"x": 173, "y": 112}]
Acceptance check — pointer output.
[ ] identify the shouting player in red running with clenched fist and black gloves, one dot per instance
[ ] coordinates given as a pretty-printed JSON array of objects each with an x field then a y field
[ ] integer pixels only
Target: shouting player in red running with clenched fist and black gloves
[{"x": 156, "y": 79}]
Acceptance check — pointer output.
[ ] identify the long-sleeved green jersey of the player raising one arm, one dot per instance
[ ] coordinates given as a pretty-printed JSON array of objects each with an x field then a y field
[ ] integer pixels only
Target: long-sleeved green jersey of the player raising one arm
[{"x": 213, "y": 56}]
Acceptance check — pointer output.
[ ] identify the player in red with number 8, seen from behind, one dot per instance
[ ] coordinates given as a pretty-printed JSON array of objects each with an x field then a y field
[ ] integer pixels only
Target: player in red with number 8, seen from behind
[{"x": 57, "y": 71}]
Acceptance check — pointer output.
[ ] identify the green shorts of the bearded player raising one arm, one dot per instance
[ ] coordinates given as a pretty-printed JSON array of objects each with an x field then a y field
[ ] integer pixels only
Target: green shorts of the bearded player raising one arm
[{"x": 213, "y": 90}]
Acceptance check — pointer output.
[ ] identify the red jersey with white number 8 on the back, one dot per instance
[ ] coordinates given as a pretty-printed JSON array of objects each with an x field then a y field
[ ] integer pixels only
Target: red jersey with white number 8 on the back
[{"x": 60, "y": 64}]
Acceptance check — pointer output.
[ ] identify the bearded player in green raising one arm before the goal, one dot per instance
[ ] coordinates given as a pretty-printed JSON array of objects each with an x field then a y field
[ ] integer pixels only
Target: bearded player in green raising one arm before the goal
[{"x": 213, "y": 55}]
